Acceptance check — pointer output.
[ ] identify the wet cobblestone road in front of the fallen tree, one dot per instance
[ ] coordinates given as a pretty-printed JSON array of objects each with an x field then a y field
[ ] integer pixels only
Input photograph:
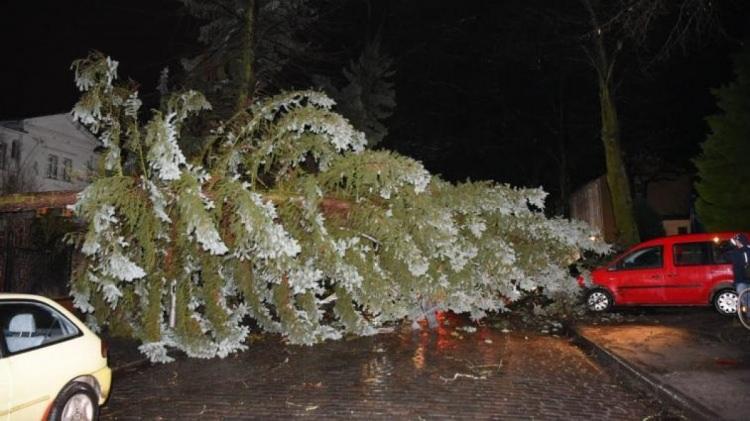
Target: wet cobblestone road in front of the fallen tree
[{"x": 448, "y": 373}]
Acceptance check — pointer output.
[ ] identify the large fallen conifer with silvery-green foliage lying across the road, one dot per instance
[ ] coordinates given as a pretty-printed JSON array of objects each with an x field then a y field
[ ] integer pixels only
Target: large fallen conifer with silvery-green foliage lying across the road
[{"x": 292, "y": 223}]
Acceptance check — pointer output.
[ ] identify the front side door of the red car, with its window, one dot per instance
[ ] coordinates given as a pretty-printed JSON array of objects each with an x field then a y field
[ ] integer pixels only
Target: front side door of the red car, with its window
[{"x": 639, "y": 276}]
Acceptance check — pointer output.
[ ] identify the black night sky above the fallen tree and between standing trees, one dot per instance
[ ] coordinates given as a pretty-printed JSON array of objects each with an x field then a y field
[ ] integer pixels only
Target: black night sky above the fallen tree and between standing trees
[{"x": 480, "y": 85}]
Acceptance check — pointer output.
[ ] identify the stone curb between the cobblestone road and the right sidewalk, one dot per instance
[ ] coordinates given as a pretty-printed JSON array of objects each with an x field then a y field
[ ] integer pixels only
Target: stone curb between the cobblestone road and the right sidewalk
[{"x": 641, "y": 379}]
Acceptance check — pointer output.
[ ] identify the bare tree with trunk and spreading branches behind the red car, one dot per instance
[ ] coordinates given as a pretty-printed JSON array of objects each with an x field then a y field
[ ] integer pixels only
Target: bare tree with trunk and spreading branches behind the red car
[{"x": 607, "y": 29}]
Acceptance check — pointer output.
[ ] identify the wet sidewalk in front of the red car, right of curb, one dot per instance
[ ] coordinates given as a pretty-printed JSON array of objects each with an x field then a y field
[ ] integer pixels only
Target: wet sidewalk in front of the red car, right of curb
[{"x": 696, "y": 358}]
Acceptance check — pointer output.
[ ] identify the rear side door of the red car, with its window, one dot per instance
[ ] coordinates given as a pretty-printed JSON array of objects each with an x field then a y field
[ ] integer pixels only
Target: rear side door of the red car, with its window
[{"x": 687, "y": 276}]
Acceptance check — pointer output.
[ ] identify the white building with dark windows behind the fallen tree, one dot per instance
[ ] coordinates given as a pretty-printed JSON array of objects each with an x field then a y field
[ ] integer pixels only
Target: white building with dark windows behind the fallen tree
[{"x": 48, "y": 153}]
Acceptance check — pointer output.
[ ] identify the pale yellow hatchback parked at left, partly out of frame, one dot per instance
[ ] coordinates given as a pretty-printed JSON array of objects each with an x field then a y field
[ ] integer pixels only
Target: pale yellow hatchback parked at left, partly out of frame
[{"x": 51, "y": 365}]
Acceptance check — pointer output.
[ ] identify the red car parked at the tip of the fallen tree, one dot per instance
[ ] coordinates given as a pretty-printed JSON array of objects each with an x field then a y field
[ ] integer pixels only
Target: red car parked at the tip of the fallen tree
[{"x": 679, "y": 270}]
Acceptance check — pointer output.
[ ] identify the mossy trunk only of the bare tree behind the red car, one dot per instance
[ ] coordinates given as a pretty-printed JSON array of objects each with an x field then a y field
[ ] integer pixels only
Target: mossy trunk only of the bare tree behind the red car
[{"x": 617, "y": 176}]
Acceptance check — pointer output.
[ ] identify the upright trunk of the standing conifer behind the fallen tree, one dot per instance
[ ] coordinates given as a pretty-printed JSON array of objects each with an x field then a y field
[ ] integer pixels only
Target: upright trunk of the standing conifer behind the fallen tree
[{"x": 246, "y": 59}]
